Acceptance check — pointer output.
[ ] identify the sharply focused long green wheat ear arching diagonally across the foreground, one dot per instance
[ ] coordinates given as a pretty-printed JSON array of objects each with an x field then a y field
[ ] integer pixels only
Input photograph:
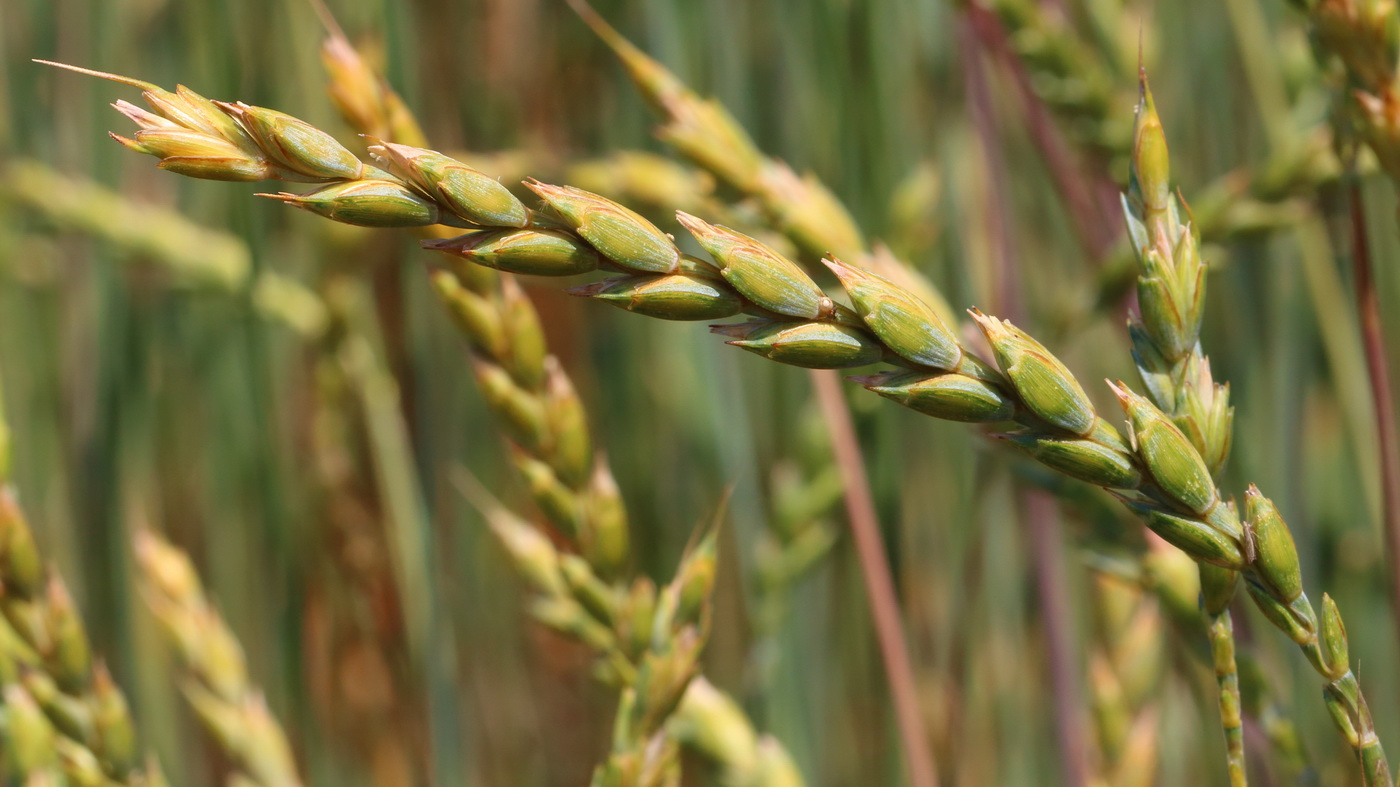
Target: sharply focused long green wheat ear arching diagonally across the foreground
[{"x": 1158, "y": 474}]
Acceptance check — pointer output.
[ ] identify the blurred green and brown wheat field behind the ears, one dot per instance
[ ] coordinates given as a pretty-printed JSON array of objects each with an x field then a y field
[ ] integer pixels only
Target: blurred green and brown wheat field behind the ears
[{"x": 171, "y": 387}]
